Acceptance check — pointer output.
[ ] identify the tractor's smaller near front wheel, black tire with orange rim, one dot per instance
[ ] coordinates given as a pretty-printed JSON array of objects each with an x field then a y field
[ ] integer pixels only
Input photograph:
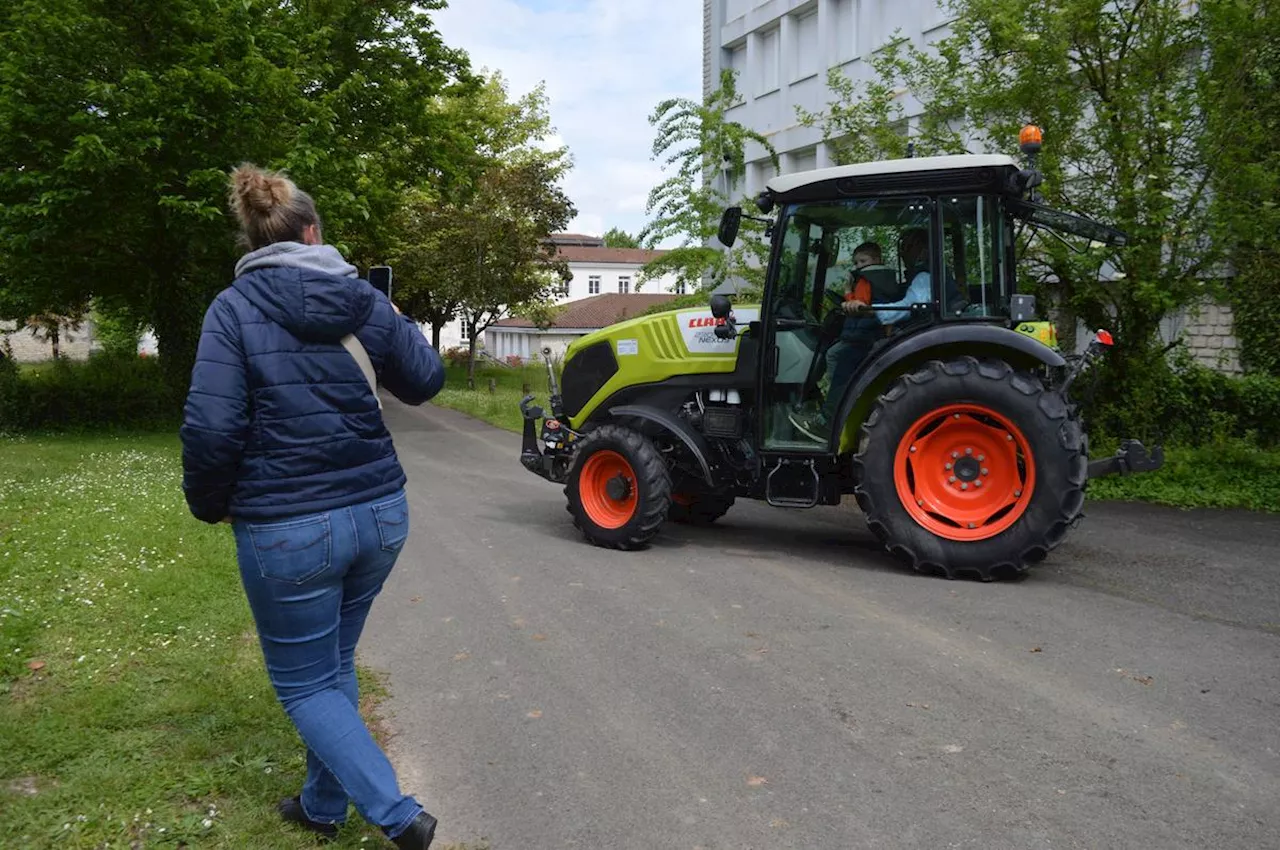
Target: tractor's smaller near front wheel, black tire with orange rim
[{"x": 628, "y": 523}]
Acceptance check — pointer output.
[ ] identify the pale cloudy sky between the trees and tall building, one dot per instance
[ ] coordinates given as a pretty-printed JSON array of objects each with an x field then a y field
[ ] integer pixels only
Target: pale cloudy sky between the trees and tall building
[{"x": 607, "y": 65}]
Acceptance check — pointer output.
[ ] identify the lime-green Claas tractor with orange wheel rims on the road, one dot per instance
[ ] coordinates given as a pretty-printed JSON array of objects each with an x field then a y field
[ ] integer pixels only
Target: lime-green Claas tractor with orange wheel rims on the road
[{"x": 890, "y": 359}]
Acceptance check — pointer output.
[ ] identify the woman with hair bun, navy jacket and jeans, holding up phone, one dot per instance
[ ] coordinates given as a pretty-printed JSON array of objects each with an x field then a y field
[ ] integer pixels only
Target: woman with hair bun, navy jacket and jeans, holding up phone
[{"x": 284, "y": 438}]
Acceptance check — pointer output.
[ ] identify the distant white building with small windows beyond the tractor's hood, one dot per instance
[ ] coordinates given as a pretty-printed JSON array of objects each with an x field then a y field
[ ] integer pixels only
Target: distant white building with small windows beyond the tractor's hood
[{"x": 597, "y": 271}]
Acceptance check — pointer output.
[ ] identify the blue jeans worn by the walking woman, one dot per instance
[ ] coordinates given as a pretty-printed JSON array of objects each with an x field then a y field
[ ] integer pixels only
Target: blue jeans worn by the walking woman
[{"x": 310, "y": 583}]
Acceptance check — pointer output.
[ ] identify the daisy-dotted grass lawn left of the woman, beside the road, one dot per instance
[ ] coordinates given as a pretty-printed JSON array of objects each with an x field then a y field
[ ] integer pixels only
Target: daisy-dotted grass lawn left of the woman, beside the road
[{"x": 135, "y": 710}]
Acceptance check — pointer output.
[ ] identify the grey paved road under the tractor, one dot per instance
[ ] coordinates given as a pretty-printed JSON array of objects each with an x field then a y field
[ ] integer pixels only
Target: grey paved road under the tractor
[{"x": 778, "y": 683}]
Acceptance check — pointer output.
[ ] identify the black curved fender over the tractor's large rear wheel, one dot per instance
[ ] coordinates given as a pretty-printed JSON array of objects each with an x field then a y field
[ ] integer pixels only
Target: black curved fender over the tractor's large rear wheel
[{"x": 939, "y": 342}]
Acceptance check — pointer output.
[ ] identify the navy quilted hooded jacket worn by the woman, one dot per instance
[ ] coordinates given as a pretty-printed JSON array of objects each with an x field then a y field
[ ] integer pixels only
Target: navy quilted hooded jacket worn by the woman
[{"x": 280, "y": 419}]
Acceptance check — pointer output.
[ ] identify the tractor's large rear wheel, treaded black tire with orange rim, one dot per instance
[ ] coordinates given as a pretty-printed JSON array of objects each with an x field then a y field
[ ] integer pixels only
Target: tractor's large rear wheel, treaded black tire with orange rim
[{"x": 1054, "y": 440}]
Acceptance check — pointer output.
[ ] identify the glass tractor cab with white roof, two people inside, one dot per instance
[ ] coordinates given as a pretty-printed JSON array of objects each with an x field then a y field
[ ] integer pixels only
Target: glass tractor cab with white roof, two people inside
[{"x": 870, "y": 255}]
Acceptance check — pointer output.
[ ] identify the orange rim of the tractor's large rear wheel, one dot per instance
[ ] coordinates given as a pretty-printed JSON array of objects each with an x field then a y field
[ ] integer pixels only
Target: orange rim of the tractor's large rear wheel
[{"x": 964, "y": 473}]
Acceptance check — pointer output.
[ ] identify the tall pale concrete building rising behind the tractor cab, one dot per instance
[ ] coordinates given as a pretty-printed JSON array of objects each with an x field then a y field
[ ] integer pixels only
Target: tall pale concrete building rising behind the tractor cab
[{"x": 783, "y": 51}]
